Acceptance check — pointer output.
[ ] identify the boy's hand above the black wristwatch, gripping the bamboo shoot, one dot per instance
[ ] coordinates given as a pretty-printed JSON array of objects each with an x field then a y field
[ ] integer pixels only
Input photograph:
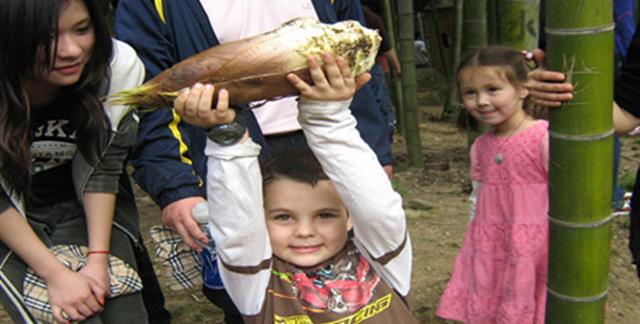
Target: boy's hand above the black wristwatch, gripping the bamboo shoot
[{"x": 195, "y": 106}]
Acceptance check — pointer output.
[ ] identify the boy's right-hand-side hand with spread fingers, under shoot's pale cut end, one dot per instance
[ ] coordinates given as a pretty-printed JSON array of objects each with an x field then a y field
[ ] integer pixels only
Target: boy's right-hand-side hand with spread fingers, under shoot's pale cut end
[{"x": 335, "y": 83}]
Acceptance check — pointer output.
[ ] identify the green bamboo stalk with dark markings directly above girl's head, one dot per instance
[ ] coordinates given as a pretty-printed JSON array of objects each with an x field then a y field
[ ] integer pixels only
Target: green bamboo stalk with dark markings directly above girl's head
[{"x": 518, "y": 22}]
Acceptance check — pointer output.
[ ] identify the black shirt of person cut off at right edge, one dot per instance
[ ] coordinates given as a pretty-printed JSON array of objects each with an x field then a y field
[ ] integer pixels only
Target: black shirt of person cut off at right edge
[{"x": 627, "y": 88}]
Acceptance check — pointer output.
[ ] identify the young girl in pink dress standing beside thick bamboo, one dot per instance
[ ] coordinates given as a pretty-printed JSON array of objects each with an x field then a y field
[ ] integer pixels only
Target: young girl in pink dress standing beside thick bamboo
[{"x": 500, "y": 274}]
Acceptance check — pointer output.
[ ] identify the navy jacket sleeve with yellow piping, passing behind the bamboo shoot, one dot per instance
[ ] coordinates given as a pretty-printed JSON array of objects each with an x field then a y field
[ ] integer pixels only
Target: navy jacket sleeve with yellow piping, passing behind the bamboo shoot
[{"x": 162, "y": 158}]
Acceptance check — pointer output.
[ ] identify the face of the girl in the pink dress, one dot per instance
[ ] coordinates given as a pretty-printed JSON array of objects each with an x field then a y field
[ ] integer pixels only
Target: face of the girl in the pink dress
[{"x": 490, "y": 98}]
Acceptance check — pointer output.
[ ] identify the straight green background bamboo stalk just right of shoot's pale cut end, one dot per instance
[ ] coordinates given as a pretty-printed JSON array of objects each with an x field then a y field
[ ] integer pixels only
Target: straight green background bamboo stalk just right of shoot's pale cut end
[{"x": 407, "y": 60}]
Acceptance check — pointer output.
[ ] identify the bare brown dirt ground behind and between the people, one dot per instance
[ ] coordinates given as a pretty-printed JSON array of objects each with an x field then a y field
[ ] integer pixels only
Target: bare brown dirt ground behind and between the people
[{"x": 437, "y": 207}]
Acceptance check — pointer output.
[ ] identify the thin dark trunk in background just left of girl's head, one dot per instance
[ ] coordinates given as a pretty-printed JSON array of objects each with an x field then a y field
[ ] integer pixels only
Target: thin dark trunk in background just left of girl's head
[{"x": 451, "y": 108}]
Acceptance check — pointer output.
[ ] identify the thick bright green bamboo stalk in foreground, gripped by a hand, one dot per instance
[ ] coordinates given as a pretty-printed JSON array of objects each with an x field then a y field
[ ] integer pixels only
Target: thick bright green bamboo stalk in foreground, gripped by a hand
[{"x": 580, "y": 43}]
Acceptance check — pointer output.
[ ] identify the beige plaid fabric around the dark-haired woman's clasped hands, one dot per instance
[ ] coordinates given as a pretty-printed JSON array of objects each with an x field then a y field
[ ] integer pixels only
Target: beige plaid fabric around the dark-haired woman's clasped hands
[{"x": 124, "y": 280}]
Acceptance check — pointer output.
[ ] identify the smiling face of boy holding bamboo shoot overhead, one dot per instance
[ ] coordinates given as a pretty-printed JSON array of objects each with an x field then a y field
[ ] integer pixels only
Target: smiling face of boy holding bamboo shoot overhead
[{"x": 307, "y": 225}]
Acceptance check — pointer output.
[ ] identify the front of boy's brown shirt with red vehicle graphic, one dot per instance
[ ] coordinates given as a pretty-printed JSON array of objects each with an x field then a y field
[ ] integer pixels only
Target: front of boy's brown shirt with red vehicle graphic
[{"x": 346, "y": 289}]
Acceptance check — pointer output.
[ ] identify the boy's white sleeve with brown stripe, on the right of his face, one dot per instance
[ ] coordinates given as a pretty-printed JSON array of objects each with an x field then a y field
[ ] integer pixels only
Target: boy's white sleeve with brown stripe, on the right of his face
[{"x": 376, "y": 209}]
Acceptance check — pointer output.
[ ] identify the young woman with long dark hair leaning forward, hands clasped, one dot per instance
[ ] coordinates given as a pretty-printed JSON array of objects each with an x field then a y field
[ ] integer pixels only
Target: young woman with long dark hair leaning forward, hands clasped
[{"x": 61, "y": 157}]
